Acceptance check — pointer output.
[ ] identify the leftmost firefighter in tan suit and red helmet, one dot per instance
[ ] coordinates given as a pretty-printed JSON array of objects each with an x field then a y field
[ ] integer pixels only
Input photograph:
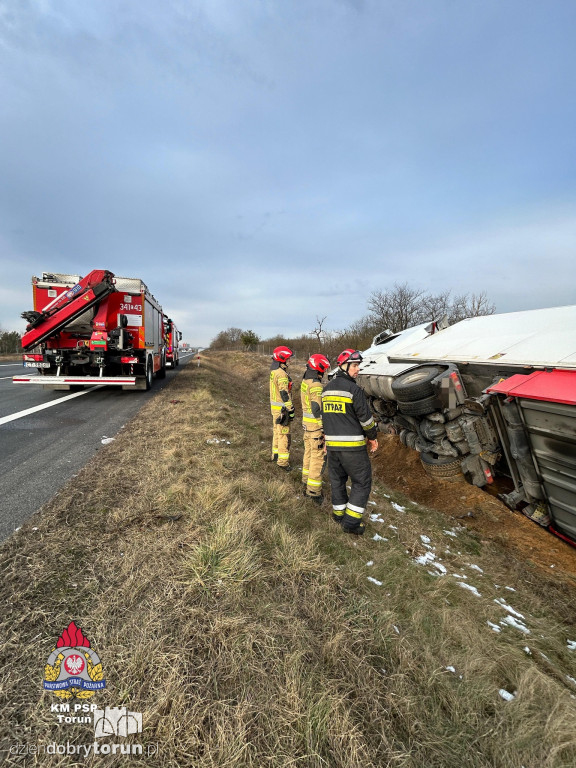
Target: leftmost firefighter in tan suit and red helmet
[{"x": 281, "y": 406}]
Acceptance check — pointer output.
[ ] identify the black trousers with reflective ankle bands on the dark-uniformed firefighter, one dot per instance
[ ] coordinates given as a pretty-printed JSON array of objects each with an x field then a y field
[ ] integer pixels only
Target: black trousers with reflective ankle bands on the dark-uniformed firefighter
[{"x": 356, "y": 466}]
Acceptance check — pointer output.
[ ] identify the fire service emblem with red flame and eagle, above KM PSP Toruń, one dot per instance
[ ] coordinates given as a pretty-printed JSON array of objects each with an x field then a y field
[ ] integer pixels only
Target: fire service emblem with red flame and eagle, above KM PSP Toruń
[{"x": 73, "y": 669}]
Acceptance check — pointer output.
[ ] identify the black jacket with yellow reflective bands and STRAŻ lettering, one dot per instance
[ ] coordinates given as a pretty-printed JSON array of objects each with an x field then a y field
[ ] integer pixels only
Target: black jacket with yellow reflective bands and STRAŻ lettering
[{"x": 346, "y": 415}]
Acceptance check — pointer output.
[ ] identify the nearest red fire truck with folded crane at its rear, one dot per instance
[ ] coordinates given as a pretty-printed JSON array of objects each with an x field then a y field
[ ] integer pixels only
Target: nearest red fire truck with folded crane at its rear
[{"x": 98, "y": 329}]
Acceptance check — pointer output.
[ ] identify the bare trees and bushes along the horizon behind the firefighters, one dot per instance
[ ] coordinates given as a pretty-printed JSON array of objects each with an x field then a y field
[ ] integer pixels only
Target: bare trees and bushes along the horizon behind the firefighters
[{"x": 392, "y": 309}]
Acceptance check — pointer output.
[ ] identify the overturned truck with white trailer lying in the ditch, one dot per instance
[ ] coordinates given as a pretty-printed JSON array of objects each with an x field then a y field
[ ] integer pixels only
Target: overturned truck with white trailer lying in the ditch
[{"x": 487, "y": 398}]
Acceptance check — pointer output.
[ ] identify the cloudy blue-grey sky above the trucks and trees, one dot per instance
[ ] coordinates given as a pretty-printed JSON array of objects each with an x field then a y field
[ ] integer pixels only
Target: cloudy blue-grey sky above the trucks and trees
[{"x": 263, "y": 163}]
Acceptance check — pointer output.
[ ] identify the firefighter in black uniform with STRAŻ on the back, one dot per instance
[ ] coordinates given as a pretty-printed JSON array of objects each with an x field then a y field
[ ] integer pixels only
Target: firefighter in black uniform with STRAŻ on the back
[{"x": 348, "y": 425}]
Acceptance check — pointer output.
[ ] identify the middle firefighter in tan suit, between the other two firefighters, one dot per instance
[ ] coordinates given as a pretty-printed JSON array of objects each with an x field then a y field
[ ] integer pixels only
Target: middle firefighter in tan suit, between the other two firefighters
[{"x": 311, "y": 395}]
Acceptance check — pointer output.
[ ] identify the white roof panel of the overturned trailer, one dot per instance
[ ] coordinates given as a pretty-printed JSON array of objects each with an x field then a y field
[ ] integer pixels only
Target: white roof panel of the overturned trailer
[{"x": 538, "y": 337}]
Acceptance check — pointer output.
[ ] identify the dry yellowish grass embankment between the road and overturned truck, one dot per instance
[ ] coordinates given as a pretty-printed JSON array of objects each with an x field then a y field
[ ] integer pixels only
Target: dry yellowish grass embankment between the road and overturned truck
[{"x": 241, "y": 622}]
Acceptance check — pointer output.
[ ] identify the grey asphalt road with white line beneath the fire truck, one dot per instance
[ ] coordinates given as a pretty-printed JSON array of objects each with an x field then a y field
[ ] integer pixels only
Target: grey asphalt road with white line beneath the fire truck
[{"x": 41, "y": 451}]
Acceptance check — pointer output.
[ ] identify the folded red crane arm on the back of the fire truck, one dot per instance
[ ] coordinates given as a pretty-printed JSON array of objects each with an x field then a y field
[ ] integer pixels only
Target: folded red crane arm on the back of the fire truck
[{"x": 67, "y": 307}]
